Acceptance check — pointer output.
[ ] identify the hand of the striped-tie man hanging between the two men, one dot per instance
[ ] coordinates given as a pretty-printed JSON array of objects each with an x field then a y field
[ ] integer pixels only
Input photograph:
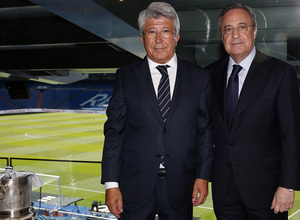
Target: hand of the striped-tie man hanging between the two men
[{"x": 200, "y": 192}]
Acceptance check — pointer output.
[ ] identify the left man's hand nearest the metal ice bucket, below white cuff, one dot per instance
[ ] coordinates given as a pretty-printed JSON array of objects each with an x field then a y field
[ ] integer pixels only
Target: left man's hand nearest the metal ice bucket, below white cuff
[{"x": 114, "y": 201}]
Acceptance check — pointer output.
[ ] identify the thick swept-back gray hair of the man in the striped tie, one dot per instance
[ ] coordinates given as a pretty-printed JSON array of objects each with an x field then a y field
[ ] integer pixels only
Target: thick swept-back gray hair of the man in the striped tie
[{"x": 156, "y": 10}]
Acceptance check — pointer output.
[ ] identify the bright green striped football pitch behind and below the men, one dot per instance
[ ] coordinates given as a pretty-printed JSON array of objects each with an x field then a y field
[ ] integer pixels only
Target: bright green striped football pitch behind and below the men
[{"x": 69, "y": 145}]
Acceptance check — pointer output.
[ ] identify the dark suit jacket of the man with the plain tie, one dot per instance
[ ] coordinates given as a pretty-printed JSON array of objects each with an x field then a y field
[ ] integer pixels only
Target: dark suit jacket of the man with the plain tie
[{"x": 262, "y": 144}]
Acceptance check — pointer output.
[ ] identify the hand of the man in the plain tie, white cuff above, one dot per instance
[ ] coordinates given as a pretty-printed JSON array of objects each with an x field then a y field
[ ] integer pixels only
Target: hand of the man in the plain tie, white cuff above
[{"x": 283, "y": 200}]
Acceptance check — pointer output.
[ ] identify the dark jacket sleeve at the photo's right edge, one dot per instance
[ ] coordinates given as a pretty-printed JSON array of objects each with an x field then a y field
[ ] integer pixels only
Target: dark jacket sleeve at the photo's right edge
[{"x": 288, "y": 107}]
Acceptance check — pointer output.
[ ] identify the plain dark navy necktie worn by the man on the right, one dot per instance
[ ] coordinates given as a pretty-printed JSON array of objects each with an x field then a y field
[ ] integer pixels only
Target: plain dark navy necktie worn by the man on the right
[{"x": 232, "y": 92}]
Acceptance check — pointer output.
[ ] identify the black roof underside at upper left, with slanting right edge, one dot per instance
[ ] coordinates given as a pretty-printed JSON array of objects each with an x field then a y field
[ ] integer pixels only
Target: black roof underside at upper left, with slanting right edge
[{"x": 36, "y": 42}]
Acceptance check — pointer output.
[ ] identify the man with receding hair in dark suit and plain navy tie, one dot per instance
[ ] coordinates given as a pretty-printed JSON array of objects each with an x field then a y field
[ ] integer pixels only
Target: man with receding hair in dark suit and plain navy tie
[{"x": 255, "y": 119}]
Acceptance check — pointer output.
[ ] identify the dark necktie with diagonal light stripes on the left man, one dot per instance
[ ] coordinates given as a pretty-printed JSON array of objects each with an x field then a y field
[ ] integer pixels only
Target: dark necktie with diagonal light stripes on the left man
[{"x": 164, "y": 97}]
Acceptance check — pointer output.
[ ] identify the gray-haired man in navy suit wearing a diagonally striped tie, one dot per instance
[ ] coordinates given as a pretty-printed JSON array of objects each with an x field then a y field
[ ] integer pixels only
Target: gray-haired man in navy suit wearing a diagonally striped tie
[{"x": 158, "y": 160}]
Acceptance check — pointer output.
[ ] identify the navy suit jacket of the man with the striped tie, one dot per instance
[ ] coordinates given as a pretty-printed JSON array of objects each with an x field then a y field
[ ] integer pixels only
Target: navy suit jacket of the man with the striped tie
[{"x": 135, "y": 134}]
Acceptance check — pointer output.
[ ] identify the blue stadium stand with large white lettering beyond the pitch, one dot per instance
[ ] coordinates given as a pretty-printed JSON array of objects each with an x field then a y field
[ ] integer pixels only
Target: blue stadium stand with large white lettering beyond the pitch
[{"x": 88, "y": 94}]
